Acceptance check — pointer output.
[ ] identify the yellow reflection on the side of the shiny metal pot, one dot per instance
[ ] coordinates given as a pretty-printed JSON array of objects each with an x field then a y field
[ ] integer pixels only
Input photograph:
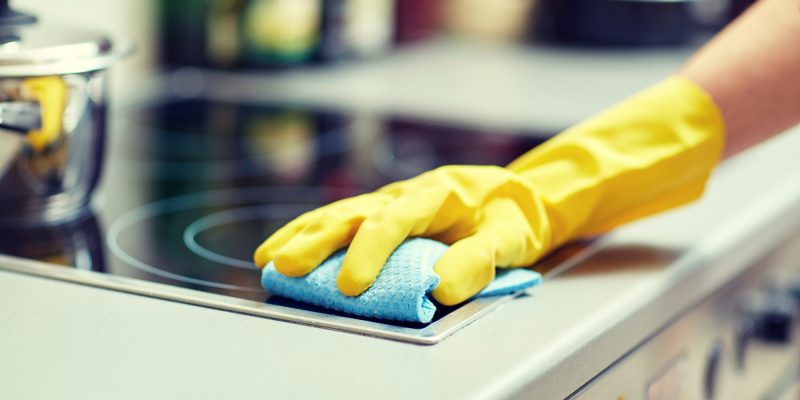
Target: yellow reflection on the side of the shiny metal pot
[{"x": 51, "y": 93}]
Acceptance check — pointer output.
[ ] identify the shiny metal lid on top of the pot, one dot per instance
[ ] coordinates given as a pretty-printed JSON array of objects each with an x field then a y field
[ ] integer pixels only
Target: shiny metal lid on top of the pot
[{"x": 31, "y": 48}]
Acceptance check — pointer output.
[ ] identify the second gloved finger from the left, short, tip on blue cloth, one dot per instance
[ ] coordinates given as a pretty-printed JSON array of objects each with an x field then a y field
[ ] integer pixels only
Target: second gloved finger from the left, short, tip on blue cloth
[{"x": 316, "y": 242}]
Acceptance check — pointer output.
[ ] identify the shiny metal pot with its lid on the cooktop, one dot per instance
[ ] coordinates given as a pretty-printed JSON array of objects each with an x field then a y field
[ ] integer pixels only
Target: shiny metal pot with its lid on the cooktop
[{"x": 52, "y": 117}]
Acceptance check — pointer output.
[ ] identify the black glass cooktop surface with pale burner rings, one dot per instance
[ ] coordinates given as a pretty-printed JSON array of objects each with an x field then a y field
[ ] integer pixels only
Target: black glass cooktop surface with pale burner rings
[{"x": 192, "y": 187}]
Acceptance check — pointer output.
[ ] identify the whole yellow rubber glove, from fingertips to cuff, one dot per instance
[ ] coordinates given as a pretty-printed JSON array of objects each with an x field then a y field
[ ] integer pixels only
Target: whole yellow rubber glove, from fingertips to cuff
[{"x": 649, "y": 153}]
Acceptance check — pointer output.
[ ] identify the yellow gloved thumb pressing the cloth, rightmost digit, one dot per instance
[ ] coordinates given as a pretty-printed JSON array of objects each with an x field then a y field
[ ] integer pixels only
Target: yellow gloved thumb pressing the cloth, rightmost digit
[{"x": 464, "y": 269}]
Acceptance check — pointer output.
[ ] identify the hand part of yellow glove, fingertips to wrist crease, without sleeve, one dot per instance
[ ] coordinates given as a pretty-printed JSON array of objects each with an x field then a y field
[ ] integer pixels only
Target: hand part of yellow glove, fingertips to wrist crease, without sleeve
[{"x": 489, "y": 214}]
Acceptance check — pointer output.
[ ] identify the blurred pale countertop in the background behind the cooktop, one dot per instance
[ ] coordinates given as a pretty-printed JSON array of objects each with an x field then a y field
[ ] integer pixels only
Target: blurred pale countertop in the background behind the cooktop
[{"x": 545, "y": 89}]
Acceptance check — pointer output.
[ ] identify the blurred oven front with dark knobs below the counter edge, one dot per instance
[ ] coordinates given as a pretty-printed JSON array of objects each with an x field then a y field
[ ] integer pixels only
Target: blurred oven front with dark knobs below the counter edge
[{"x": 741, "y": 343}]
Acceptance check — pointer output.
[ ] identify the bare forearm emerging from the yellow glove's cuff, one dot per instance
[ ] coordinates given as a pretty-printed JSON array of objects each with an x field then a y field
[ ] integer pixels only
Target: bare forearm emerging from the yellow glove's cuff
[{"x": 752, "y": 71}]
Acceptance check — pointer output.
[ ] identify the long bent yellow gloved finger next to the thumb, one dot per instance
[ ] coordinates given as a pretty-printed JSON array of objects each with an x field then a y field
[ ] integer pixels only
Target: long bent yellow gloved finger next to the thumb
[{"x": 383, "y": 231}]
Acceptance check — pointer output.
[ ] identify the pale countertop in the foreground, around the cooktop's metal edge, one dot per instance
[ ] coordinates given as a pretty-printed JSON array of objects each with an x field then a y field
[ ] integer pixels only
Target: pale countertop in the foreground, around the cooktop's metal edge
[{"x": 62, "y": 340}]
